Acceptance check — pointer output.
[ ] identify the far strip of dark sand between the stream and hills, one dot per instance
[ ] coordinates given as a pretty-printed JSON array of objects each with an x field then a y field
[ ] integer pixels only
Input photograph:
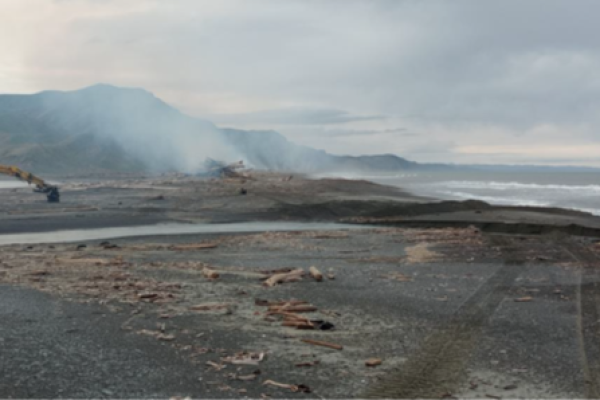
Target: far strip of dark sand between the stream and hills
[{"x": 157, "y": 200}]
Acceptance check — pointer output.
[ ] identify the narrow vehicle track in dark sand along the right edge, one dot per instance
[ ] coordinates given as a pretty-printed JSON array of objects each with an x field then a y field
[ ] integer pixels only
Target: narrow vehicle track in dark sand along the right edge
[{"x": 588, "y": 316}]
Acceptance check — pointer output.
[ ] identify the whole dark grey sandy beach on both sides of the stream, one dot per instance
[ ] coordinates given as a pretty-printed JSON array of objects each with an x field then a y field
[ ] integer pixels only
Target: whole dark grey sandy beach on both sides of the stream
[{"x": 450, "y": 310}]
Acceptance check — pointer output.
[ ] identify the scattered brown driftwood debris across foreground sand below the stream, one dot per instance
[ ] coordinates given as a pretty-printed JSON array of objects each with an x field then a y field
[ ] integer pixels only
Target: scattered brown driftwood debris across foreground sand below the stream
[{"x": 163, "y": 285}]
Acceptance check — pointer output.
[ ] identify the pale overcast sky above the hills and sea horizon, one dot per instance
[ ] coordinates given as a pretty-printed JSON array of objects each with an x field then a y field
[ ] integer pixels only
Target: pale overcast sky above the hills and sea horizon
[{"x": 511, "y": 81}]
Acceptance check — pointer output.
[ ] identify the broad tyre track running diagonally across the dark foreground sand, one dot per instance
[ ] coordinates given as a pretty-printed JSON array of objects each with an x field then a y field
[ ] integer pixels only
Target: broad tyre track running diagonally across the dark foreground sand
[{"x": 439, "y": 366}]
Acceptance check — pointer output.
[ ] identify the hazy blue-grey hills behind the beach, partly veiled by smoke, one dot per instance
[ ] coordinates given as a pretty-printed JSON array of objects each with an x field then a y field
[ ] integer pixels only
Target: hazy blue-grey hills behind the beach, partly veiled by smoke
[{"x": 105, "y": 128}]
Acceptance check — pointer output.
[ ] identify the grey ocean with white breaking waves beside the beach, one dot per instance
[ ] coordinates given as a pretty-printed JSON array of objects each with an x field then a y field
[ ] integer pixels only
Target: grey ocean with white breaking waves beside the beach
[{"x": 573, "y": 190}]
